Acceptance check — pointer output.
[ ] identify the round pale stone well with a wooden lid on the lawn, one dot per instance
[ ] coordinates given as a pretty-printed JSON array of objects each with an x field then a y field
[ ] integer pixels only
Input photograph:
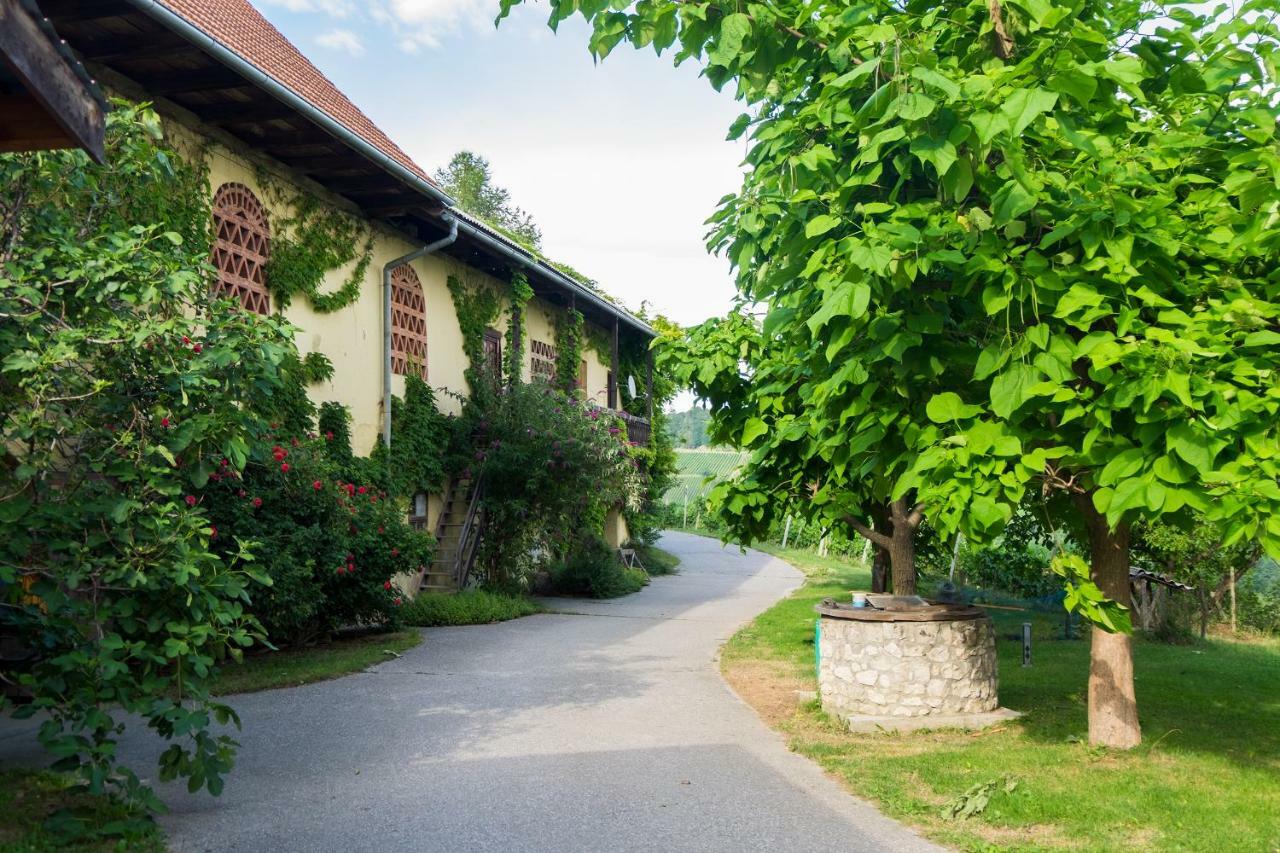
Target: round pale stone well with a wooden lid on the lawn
[{"x": 924, "y": 665}]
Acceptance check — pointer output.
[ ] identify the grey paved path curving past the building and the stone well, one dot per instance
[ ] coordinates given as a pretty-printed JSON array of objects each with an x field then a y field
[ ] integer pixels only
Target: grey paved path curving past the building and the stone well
[{"x": 609, "y": 729}]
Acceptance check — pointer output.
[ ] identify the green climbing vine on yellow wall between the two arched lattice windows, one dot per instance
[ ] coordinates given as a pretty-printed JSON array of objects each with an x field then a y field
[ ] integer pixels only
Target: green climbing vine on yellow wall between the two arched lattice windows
[{"x": 310, "y": 243}]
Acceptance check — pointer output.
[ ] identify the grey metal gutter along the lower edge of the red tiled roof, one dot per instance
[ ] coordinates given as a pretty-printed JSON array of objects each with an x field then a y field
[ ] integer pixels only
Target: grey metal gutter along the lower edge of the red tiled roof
[{"x": 278, "y": 90}]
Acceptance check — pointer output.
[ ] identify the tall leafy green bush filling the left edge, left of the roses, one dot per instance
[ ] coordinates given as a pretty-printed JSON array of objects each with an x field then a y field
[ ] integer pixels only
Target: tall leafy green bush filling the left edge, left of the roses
[{"x": 121, "y": 380}]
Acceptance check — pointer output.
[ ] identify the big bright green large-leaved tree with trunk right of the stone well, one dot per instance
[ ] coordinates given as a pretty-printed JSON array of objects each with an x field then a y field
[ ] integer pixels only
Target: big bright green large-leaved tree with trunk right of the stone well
[{"x": 1075, "y": 203}]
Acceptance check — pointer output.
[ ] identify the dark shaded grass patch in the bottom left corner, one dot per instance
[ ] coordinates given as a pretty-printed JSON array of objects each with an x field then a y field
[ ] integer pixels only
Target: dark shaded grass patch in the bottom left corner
[{"x": 29, "y": 797}]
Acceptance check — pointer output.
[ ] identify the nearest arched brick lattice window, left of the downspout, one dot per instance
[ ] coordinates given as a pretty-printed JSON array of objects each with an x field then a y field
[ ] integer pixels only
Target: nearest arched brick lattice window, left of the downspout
[{"x": 243, "y": 243}]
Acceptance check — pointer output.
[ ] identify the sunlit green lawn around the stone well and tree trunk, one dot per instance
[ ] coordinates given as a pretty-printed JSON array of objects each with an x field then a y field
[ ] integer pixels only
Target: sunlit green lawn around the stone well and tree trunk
[{"x": 1206, "y": 777}]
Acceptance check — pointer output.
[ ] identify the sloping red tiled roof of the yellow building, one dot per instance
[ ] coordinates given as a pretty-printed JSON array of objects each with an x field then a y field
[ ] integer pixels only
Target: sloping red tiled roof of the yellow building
[{"x": 239, "y": 26}]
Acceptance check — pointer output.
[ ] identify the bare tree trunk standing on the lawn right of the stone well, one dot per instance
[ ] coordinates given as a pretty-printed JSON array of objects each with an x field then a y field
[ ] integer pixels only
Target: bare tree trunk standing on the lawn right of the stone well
[{"x": 1113, "y": 701}]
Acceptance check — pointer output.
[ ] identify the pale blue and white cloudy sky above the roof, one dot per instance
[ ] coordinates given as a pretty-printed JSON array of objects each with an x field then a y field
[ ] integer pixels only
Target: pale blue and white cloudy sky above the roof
[{"x": 620, "y": 163}]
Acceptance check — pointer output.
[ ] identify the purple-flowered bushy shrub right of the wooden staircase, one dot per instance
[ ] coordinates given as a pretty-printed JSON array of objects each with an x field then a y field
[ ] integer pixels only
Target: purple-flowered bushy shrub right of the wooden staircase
[{"x": 552, "y": 469}]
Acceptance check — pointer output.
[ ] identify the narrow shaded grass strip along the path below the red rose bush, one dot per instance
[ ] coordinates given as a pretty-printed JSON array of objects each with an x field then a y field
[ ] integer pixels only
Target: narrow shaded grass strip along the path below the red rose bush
[{"x": 295, "y": 667}]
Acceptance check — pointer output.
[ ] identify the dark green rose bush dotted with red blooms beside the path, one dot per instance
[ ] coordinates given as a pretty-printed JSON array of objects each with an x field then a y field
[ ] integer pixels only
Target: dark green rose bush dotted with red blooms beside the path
[{"x": 331, "y": 545}]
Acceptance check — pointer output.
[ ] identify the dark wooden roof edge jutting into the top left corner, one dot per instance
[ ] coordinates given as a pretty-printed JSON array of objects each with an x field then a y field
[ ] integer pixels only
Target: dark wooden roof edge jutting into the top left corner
[{"x": 48, "y": 77}]
